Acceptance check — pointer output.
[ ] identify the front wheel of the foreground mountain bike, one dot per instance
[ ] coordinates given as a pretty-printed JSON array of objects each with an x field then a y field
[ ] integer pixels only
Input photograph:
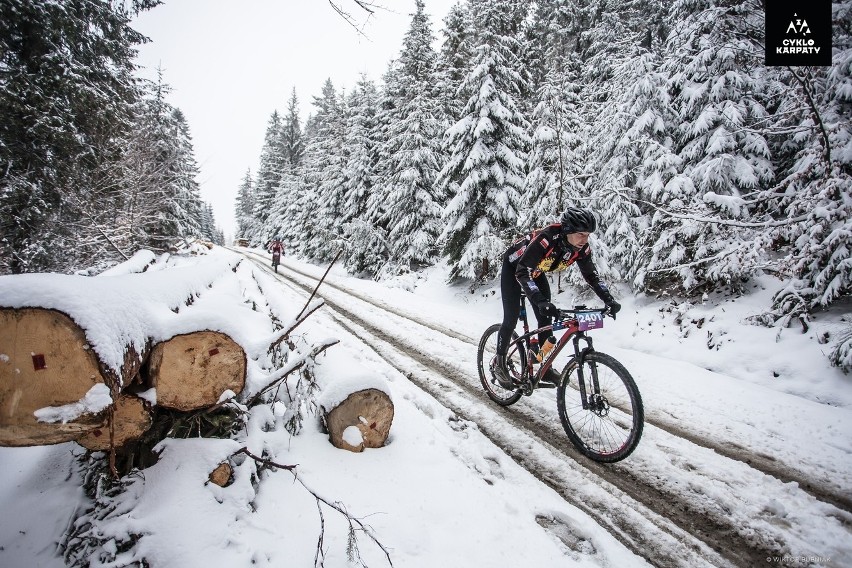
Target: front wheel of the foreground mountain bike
[{"x": 610, "y": 428}]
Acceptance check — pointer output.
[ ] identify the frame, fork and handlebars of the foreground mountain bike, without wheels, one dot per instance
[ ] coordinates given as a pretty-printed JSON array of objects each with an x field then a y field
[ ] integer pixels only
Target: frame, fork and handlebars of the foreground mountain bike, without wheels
[{"x": 572, "y": 331}]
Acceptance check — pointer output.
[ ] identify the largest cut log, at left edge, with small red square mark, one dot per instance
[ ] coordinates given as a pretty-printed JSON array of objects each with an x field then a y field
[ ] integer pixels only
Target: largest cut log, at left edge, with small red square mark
[{"x": 45, "y": 361}]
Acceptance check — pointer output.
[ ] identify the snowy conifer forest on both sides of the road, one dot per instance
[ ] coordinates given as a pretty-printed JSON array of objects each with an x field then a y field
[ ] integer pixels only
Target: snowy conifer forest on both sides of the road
[{"x": 706, "y": 167}]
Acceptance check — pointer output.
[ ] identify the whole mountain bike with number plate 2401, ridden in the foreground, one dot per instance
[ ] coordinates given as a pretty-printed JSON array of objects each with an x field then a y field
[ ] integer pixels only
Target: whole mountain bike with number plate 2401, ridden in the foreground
[{"x": 598, "y": 402}]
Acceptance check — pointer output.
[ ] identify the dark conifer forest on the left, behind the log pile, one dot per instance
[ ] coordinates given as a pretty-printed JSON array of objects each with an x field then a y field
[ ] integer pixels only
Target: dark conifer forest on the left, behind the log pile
[{"x": 94, "y": 163}]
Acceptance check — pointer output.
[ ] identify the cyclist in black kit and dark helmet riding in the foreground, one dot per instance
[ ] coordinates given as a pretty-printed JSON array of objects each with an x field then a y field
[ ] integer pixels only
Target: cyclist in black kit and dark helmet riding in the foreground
[{"x": 554, "y": 248}]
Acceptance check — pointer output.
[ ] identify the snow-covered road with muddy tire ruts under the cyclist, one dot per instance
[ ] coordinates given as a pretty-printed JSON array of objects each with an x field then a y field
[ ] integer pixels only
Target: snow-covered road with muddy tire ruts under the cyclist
[{"x": 710, "y": 483}]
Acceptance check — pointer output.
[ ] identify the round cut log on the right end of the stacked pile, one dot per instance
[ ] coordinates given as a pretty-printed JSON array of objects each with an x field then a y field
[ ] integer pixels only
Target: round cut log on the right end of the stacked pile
[{"x": 191, "y": 371}]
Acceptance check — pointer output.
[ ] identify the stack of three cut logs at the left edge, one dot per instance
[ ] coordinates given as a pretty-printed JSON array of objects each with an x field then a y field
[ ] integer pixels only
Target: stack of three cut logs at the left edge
[{"x": 46, "y": 362}]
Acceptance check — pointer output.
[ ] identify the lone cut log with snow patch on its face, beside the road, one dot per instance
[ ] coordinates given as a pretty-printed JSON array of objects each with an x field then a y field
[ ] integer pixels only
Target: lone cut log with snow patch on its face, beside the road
[{"x": 361, "y": 421}]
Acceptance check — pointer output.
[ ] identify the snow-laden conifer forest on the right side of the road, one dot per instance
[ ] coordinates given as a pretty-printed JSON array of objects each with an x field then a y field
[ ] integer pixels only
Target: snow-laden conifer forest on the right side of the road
[{"x": 704, "y": 166}]
